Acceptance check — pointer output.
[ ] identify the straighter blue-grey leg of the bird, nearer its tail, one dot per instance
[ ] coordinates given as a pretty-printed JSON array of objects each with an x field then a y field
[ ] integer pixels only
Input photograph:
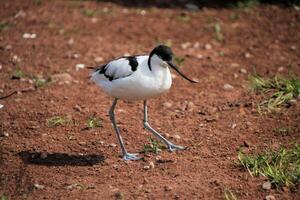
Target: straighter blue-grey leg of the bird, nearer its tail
[{"x": 126, "y": 155}]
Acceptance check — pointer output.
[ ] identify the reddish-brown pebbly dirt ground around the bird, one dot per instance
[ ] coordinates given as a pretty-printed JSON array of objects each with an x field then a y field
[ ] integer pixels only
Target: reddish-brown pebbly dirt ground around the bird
[{"x": 81, "y": 164}]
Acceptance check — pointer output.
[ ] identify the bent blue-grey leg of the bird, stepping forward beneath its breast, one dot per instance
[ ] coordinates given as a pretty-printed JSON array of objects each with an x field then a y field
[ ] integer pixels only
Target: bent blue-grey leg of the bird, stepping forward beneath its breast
[{"x": 171, "y": 146}]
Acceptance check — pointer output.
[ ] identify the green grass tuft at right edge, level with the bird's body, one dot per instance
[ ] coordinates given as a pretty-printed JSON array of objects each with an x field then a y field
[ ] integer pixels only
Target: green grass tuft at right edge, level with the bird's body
[{"x": 279, "y": 89}]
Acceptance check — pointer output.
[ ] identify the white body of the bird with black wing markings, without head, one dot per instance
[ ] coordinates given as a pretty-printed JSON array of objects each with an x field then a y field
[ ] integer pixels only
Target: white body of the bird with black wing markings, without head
[{"x": 134, "y": 81}]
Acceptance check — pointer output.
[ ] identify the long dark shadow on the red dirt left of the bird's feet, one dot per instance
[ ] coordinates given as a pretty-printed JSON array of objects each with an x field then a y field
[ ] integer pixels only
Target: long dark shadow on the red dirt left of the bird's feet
[{"x": 60, "y": 159}]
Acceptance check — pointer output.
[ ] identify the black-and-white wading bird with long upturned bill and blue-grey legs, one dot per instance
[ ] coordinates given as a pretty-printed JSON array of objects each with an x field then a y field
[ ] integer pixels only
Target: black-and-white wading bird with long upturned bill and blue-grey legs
[{"x": 138, "y": 78}]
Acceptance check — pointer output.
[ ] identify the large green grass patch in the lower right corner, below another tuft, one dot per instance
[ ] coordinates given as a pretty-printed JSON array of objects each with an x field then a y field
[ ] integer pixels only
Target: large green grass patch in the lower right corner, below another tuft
[{"x": 281, "y": 167}]
